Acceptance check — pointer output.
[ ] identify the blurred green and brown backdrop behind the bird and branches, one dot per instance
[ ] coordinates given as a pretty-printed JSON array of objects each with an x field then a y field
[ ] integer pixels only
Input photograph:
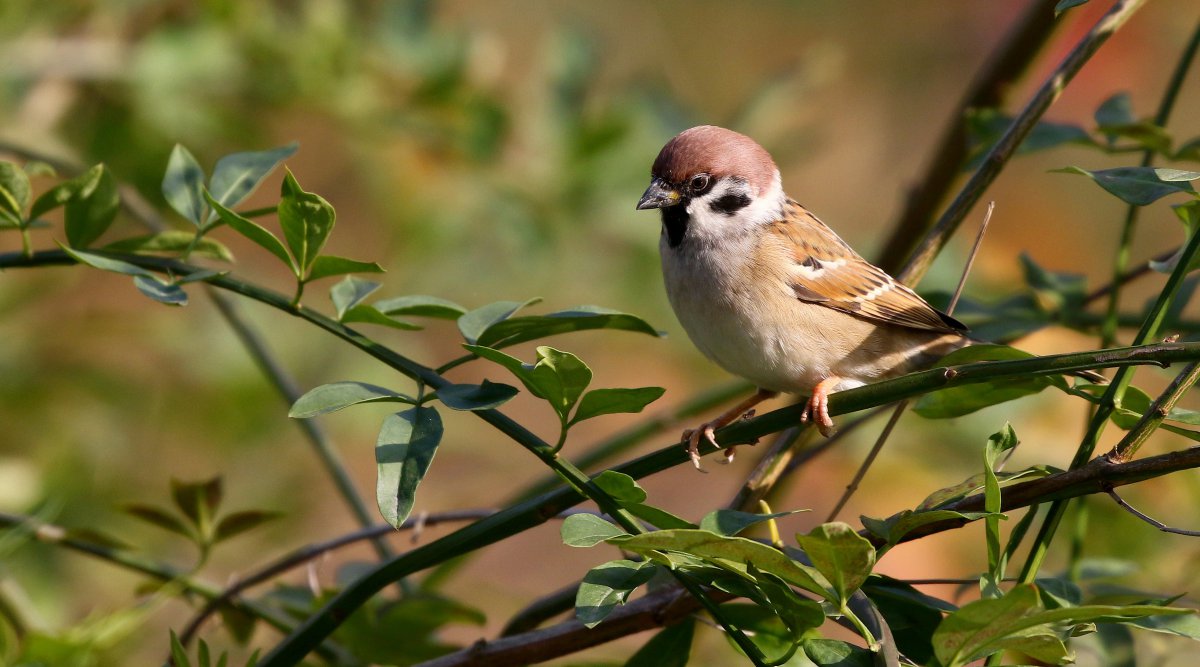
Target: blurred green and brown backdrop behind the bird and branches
[{"x": 495, "y": 151}]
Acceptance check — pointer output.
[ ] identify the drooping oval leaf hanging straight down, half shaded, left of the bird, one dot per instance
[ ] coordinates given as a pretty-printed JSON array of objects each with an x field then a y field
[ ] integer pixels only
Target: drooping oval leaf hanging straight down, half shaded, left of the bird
[{"x": 404, "y": 453}]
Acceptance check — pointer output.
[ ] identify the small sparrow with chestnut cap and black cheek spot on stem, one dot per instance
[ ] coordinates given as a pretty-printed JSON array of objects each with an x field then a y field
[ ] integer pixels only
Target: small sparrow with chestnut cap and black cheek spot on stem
[{"x": 771, "y": 293}]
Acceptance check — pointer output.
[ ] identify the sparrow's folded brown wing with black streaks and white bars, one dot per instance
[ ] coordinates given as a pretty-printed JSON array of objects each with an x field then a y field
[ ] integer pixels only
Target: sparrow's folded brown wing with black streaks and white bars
[{"x": 827, "y": 272}]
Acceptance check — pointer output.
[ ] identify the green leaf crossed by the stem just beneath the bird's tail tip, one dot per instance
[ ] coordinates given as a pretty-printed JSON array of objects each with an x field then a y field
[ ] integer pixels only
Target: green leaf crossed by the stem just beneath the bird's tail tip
[{"x": 958, "y": 401}]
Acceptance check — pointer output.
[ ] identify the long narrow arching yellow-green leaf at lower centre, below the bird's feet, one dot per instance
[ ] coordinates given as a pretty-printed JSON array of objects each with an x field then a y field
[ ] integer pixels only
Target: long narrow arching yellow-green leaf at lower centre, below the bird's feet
[{"x": 703, "y": 544}]
